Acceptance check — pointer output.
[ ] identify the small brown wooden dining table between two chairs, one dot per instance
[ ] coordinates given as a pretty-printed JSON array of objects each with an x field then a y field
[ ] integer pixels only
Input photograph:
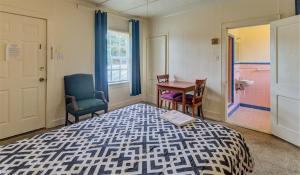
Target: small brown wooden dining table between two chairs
[{"x": 177, "y": 86}]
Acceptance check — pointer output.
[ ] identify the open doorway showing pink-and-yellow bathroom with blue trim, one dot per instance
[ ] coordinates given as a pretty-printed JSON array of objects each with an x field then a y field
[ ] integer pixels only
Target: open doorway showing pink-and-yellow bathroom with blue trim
[{"x": 249, "y": 77}]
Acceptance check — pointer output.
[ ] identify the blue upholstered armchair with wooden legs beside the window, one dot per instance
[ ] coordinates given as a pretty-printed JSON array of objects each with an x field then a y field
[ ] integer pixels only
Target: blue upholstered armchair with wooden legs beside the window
[{"x": 81, "y": 97}]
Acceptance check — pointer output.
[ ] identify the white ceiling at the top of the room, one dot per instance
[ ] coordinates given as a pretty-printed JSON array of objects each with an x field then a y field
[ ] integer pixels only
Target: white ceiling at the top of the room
[{"x": 155, "y": 7}]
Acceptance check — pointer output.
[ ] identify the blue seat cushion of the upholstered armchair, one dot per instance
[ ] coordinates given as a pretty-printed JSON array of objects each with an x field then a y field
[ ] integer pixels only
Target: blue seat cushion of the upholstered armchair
[{"x": 87, "y": 106}]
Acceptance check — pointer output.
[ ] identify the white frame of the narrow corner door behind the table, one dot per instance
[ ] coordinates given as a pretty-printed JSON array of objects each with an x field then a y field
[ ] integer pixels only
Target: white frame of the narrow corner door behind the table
[{"x": 166, "y": 35}]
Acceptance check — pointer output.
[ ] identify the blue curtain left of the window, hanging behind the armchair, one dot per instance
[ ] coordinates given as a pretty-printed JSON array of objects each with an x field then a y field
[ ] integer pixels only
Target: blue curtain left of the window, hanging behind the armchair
[{"x": 101, "y": 83}]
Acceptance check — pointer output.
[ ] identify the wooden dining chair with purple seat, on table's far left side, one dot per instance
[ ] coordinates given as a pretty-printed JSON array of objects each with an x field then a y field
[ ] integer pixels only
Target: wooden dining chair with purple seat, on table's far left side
[{"x": 166, "y": 96}]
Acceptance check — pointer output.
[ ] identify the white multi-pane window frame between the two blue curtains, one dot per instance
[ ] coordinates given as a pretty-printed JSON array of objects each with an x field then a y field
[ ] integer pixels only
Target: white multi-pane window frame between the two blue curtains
[{"x": 109, "y": 58}]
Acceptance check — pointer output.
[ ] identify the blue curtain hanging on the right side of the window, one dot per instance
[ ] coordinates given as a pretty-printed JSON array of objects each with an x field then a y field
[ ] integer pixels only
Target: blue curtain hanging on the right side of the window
[{"x": 135, "y": 52}]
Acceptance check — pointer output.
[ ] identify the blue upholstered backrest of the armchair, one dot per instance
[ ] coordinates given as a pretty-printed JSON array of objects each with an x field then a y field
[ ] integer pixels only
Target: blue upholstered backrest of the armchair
[{"x": 80, "y": 85}]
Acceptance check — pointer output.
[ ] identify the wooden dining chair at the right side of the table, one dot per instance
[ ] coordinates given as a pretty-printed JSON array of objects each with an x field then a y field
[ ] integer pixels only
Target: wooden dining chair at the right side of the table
[{"x": 194, "y": 101}]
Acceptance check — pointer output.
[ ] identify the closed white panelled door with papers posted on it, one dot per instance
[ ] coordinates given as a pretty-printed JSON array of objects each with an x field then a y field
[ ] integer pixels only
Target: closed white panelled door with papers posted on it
[{"x": 22, "y": 64}]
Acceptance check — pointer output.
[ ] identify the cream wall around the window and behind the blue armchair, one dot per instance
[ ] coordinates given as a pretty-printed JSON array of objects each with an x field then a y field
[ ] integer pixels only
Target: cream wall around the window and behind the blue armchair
[{"x": 70, "y": 30}]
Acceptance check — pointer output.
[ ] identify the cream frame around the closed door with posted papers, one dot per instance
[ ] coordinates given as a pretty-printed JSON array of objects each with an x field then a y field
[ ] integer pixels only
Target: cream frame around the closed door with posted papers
[{"x": 40, "y": 17}]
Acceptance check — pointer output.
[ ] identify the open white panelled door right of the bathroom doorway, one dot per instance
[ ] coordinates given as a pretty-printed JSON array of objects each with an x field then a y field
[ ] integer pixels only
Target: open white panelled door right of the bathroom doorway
[{"x": 285, "y": 83}]
